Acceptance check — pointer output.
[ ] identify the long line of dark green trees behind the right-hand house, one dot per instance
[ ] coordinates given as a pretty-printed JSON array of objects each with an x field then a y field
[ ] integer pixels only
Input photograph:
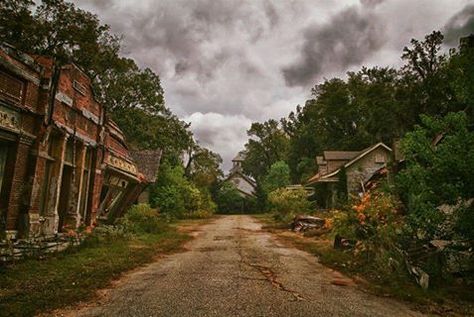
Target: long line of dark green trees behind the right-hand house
[{"x": 370, "y": 105}]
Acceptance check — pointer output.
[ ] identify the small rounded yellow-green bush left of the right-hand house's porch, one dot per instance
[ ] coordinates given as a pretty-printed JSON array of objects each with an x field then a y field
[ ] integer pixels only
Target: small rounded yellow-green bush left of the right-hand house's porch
[{"x": 286, "y": 203}]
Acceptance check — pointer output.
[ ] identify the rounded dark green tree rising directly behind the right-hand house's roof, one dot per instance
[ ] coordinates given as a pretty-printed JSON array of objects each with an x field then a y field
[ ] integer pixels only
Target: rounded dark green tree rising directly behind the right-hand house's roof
[{"x": 331, "y": 120}]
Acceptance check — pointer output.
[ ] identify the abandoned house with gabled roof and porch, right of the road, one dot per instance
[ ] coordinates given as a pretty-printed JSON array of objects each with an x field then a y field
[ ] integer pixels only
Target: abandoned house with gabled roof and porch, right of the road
[{"x": 354, "y": 168}]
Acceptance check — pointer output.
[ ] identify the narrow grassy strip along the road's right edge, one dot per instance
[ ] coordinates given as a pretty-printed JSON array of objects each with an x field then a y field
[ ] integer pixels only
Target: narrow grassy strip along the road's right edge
[{"x": 442, "y": 300}]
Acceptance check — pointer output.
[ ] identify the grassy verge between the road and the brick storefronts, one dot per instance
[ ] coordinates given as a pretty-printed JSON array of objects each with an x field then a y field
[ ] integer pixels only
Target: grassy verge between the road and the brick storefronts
[{"x": 34, "y": 286}]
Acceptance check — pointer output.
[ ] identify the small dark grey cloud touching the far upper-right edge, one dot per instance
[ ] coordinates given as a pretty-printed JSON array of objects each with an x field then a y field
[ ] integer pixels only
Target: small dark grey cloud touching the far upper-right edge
[{"x": 461, "y": 24}]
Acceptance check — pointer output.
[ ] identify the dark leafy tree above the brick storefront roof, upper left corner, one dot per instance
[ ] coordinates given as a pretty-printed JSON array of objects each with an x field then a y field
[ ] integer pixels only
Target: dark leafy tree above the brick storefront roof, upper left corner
[{"x": 59, "y": 29}]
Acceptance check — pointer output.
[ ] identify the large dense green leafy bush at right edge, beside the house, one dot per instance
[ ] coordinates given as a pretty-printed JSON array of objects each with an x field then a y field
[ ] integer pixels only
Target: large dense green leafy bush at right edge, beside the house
[{"x": 436, "y": 174}]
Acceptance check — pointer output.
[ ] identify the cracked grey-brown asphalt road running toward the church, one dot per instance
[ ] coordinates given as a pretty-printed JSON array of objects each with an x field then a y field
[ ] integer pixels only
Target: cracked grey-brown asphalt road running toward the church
[{"x": 232, "y": 268}]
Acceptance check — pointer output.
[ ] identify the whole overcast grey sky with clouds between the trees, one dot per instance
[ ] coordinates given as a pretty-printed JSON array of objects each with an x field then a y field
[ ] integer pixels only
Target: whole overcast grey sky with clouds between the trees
[{"x": 227, "y": 63}]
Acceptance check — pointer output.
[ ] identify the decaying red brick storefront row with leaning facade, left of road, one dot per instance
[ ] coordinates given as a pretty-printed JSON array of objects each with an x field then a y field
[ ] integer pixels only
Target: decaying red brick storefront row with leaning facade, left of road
[{"x": 63, "y": 163}]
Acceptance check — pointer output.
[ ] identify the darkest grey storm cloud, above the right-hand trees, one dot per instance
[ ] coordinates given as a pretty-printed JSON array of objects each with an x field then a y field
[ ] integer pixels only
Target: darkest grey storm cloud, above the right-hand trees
[{"x": 346, "y": 40}]
